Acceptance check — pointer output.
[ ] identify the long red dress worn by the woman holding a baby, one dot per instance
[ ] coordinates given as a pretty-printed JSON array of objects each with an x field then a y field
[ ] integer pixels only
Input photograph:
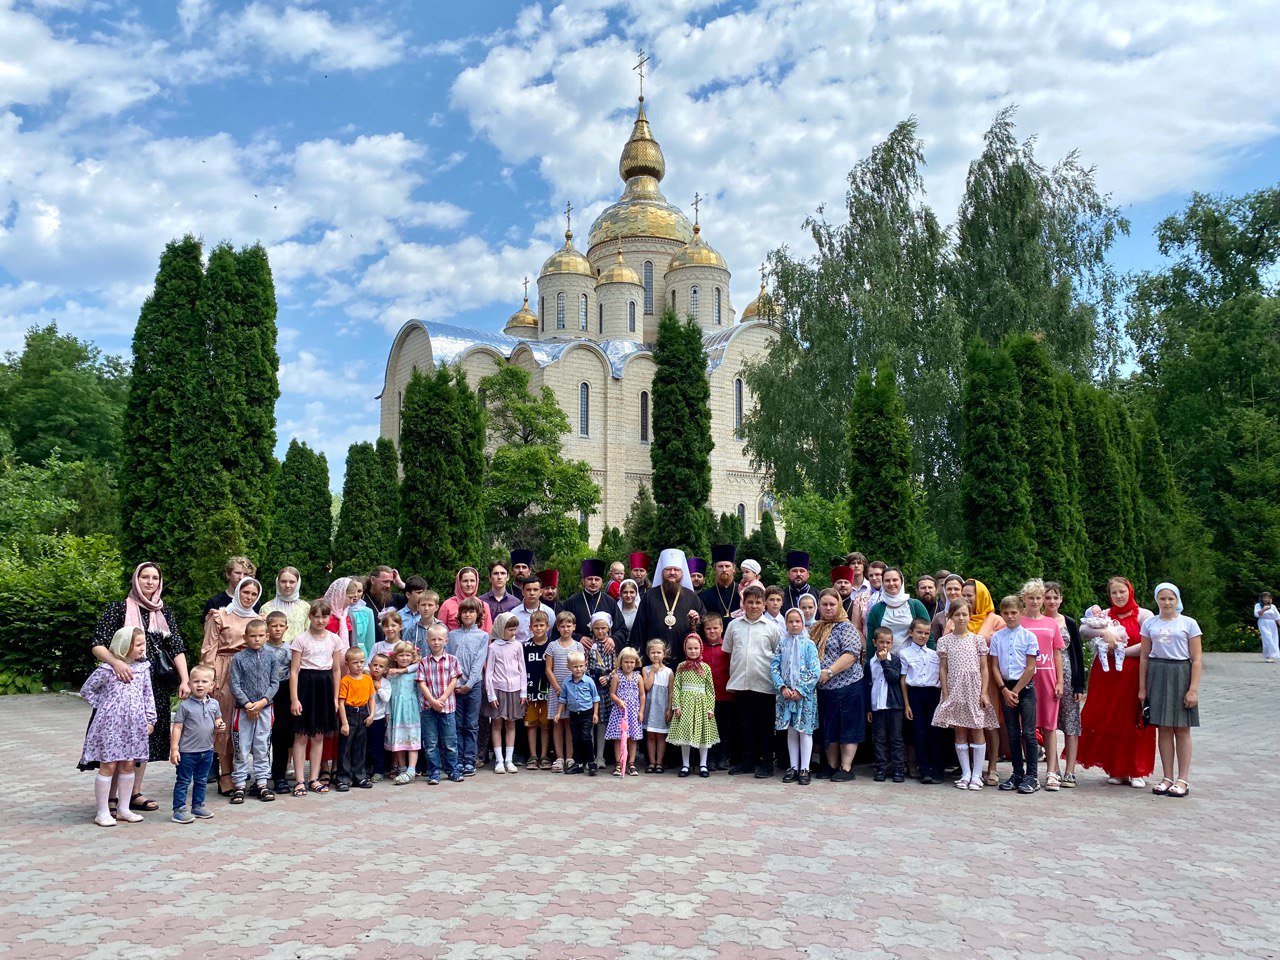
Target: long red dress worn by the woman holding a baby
[{"x": 1110, "y": 733}]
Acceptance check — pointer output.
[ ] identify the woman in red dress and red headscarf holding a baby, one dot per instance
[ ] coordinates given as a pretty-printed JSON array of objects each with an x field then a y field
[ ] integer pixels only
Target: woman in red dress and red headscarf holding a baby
[{"x": 1112, "y": 733}]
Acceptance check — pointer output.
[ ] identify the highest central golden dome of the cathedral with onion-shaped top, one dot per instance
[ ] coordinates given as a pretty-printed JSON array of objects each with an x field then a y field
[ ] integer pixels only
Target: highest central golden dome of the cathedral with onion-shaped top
[{"x": 642, "y": 211}]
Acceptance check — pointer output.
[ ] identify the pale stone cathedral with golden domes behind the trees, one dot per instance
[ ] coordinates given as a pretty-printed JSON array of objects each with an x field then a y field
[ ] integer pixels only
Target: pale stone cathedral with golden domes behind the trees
[{"x": 591, "y": 341}]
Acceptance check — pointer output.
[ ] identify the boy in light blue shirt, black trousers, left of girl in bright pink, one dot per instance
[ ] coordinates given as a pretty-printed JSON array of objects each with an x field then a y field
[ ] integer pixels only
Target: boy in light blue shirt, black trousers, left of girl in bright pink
[{"x": 1013, "y": 652}]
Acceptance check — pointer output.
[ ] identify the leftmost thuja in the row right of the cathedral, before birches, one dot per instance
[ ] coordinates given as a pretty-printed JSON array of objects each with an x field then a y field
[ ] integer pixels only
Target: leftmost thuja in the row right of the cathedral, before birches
[{"x": 884, "y": 505}]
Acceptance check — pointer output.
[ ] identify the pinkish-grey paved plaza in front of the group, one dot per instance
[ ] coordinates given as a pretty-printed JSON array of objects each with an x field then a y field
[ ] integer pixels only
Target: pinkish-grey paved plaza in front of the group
[{"x": 543, "y": 866}]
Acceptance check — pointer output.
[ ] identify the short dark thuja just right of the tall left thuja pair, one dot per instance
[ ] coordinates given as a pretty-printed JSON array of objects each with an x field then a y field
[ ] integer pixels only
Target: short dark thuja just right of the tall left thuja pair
[{"x": 301, "y": 524}]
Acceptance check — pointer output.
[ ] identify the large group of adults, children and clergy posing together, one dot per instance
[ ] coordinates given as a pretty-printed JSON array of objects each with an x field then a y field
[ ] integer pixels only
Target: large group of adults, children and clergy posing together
[{"x": 380, "y": 680}]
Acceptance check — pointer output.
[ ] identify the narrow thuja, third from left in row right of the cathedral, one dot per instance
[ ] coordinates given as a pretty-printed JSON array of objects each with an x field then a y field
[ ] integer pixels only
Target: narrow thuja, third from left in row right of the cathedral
[{"x": 1055, "y": 511}]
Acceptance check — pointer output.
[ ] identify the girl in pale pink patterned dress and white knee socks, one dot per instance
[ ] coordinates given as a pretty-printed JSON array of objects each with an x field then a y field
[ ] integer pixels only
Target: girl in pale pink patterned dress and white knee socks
[{"x": 966, "y": 706}]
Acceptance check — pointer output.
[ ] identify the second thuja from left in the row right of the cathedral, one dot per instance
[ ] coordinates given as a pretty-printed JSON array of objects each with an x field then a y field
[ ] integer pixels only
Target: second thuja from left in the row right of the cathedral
[{"x": 994, "y": 490}]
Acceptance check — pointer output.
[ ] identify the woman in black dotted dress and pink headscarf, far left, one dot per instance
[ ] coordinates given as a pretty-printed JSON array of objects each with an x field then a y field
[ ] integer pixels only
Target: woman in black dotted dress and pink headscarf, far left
[{"x": 145, "y": 609}]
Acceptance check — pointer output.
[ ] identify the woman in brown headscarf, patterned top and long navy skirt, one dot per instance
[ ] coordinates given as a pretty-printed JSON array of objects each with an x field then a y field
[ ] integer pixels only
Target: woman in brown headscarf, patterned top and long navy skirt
[{"x": 840, "y": 685}]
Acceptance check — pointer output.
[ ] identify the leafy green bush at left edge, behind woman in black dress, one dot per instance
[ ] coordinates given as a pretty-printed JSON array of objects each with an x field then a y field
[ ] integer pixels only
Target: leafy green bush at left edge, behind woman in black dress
[{"x": 53, "y": 591}]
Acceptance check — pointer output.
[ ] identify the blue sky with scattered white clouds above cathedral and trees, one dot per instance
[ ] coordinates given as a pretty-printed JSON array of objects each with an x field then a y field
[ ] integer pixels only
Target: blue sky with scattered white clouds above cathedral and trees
[{"x": 414, "y": 159}]
